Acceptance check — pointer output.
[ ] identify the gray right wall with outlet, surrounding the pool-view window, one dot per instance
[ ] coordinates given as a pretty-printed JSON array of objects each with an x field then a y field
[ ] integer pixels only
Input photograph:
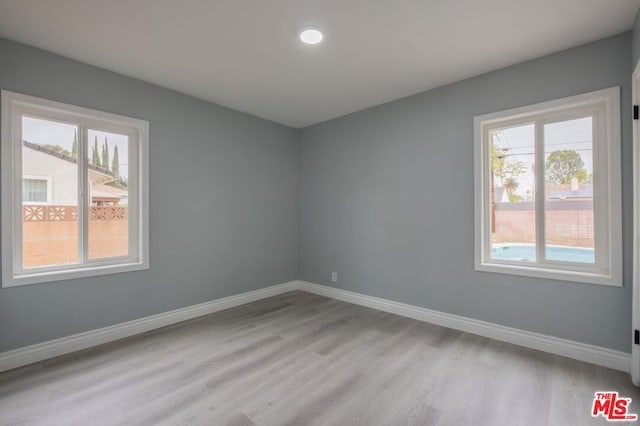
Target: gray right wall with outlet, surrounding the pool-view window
[{"x": 386, "y": 200}]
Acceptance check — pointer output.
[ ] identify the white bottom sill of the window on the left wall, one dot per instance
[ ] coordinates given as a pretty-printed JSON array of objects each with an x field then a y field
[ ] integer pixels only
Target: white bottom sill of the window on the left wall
[{"x": 69, "y": 274}]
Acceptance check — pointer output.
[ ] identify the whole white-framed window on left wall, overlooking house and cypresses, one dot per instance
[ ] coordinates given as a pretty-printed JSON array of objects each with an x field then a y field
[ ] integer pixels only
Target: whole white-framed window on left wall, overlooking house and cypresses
[{"x": 74, "y": 191}]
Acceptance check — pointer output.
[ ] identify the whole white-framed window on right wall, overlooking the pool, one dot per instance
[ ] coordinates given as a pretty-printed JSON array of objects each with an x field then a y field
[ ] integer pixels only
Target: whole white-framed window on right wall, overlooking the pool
[{"x": 548, "y": 190}]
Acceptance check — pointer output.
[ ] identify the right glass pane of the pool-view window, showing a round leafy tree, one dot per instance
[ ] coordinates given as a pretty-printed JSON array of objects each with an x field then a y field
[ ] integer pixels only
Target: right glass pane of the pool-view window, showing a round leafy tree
[{"x": 569, "y": 224}]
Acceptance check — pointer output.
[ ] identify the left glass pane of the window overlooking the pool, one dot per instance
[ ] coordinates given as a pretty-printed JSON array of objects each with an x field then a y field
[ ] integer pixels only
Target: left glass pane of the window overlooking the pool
[{"x": 513, "y": 231}]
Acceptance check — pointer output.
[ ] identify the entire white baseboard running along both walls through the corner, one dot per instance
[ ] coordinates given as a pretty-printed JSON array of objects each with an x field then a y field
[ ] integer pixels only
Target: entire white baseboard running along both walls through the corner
[{"x": 65, "y": 345}]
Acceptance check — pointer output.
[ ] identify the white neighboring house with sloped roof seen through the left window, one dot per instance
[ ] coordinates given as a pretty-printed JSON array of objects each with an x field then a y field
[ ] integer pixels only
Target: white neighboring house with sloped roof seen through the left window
[{"x": 50, "y": 177}]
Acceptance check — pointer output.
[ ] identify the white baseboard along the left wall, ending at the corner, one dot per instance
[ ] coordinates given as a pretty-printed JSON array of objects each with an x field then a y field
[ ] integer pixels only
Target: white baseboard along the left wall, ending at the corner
[{"x": 65, "y": 345}]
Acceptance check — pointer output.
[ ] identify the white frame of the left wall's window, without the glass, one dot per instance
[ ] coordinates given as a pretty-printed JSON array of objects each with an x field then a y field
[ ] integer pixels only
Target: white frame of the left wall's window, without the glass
[{"x": 14, "y": 106}]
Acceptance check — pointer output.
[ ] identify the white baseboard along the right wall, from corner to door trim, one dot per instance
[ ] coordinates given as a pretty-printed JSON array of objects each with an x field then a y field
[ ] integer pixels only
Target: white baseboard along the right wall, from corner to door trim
[{"x": 568, "y": 348}]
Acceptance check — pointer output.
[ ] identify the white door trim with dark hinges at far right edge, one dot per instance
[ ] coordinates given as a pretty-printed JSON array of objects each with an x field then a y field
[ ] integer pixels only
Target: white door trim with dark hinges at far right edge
[{"x": 635, "y": 316}]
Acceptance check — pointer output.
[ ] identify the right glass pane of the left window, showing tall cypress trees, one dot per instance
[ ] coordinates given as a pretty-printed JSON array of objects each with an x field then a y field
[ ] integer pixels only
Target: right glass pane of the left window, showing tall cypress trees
[{"x": 109, "y": 194}]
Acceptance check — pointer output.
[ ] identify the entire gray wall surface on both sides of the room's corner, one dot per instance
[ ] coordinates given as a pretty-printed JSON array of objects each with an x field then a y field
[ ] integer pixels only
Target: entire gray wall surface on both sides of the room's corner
[{"x": 384, "y": 197}]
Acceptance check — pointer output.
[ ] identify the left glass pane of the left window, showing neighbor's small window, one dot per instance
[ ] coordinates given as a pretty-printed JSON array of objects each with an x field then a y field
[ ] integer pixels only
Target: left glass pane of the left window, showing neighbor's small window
[{"x": 50, "y": 221}]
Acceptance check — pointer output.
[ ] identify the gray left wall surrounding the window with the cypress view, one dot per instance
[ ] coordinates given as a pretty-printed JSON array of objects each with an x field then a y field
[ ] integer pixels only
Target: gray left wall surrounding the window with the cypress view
[{"x": 223, "y": 188}]
